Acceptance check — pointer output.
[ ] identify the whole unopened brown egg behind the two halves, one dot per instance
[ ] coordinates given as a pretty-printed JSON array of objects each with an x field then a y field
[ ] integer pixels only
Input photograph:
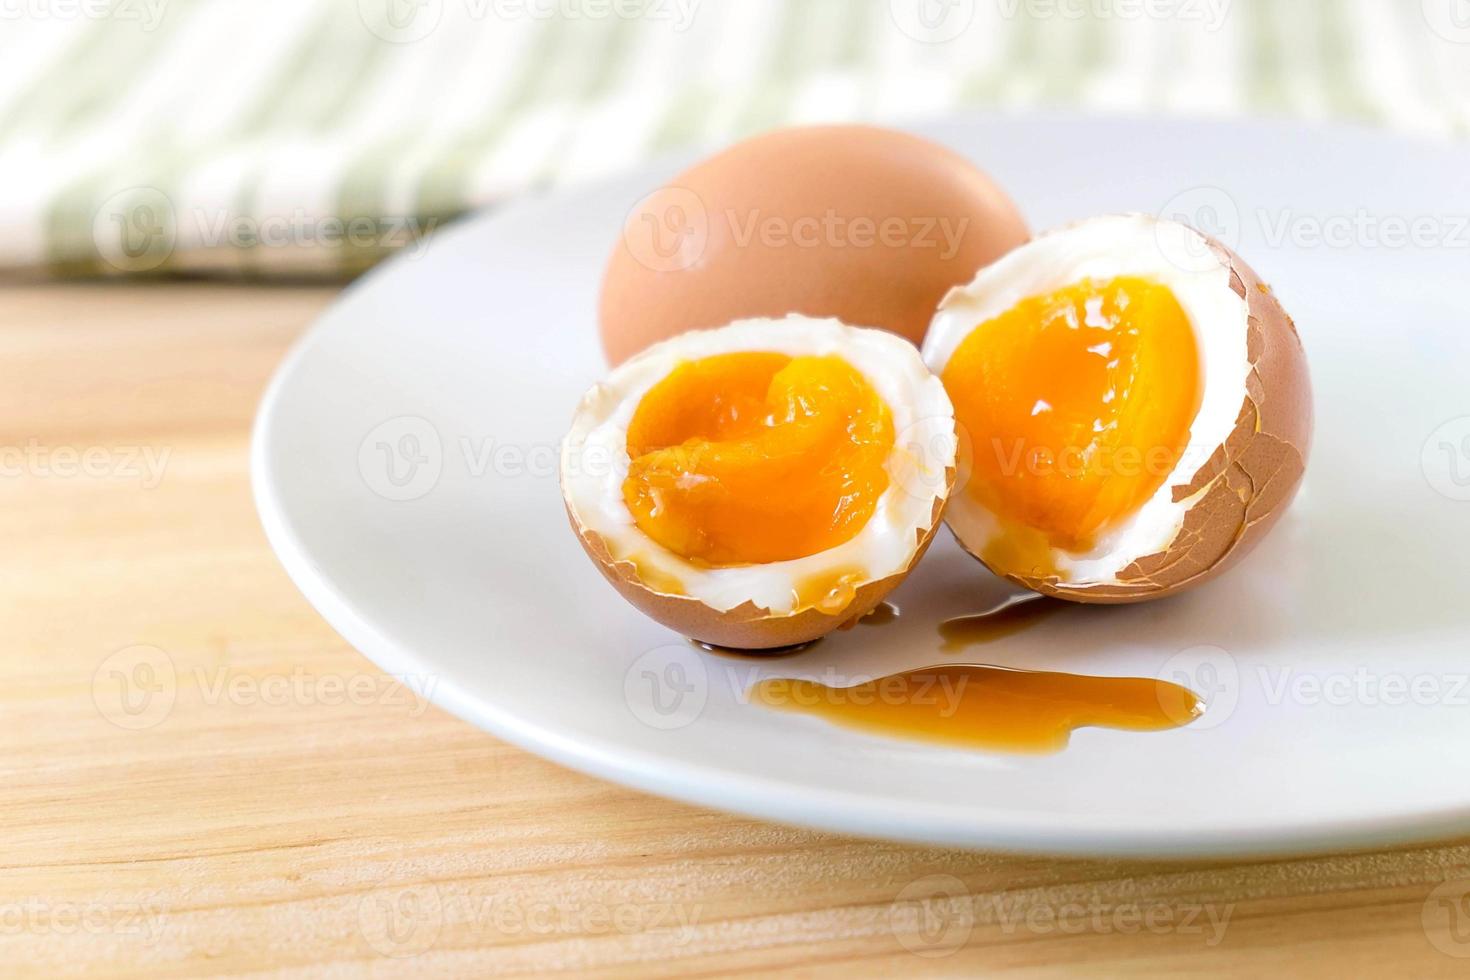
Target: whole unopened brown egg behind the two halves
[{"x": 747, "y": 234}]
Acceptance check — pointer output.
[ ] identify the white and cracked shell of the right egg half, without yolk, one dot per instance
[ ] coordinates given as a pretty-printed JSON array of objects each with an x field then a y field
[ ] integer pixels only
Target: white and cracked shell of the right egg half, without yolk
[{"x": 1205, "y": 519}]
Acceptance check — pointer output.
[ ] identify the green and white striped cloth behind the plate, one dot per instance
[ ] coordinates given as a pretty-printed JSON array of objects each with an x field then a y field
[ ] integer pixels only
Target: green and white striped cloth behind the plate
[{"x": 308, "y": 139}]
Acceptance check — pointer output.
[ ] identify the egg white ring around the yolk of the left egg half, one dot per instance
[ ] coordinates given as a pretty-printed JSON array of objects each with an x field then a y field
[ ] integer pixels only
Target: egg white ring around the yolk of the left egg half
[{"x": 595, "y": 458}]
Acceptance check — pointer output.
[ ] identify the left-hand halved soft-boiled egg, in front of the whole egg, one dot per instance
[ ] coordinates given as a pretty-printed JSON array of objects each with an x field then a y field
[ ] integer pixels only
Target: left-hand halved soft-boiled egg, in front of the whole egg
[{"x": 762, "y": 484}]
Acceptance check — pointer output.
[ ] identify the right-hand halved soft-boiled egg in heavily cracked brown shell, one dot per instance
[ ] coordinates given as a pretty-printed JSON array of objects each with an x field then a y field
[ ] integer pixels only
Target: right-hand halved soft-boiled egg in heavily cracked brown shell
[{"x": 1134, "y": 409}]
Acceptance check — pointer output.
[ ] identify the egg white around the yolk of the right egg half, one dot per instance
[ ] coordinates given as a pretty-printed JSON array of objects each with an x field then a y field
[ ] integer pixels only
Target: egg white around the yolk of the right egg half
[{"x": 1102, "y": 249}]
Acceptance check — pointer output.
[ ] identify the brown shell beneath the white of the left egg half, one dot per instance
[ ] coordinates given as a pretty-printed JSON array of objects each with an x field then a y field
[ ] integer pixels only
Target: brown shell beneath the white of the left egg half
[{"x": 749, "y": 627}]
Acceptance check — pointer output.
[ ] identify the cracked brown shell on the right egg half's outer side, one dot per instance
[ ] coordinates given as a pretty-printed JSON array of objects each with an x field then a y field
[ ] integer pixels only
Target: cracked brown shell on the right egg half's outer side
[{"x": 1252, "y": 477}]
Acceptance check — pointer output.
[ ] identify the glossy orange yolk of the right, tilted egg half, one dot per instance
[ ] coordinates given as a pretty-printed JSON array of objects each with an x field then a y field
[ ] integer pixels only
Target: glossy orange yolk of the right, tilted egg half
[{"x": 1078, "y": 406}]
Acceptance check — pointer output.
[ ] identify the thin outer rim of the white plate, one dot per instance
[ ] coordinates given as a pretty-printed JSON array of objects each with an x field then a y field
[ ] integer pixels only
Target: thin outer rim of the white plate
[{"x": 827, "y": 810}]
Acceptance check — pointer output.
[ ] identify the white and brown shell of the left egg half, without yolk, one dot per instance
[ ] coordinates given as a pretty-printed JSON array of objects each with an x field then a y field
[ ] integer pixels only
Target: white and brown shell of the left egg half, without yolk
[{"x": 753, "y": 608}]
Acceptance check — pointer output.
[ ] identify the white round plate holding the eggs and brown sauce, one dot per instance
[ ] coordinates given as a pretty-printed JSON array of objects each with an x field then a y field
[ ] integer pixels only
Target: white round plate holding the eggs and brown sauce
[{"x": 405, "y": 472}]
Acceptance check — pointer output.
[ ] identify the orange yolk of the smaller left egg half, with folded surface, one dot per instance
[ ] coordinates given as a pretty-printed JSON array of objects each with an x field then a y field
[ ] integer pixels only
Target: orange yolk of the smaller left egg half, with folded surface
[{"x": 756, "y": 458}]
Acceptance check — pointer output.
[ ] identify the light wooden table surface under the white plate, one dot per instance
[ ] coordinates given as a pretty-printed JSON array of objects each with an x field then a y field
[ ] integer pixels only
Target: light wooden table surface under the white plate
[{"x": 202, "y": 778}]
